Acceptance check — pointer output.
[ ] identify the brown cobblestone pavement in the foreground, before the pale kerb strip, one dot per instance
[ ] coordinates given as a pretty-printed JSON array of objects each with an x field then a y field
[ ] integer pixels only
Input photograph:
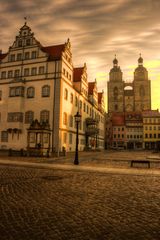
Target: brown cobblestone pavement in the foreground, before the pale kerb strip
[{"x": 44, "y": 204}]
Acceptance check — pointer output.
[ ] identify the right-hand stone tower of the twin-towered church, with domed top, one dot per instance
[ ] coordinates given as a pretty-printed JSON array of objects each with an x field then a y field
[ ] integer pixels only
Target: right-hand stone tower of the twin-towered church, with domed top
[{"x": 142, "y": 89}]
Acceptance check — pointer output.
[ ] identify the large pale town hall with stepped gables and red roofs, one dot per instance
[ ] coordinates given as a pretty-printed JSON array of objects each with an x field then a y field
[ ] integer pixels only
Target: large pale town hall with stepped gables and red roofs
[{"x": 40, "y": 92}]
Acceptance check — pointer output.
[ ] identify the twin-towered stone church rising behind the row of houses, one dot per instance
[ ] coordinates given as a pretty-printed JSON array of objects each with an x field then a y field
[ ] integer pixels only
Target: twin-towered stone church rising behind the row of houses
[{"x": 129, "y": 97}]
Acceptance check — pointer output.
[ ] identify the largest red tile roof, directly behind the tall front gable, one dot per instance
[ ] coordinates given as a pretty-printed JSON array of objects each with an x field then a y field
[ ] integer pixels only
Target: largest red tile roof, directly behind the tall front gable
[{"x": 55, "y": 52}]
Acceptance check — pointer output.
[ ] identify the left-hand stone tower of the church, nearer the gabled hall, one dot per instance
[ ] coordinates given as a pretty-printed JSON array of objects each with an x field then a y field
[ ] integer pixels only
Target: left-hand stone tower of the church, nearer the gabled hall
[{"x": 115, "y": 89}]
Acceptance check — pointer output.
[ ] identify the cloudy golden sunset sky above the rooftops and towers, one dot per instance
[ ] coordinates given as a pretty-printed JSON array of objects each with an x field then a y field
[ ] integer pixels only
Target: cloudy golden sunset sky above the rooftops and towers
[{"x": 97, "y": 29}]
